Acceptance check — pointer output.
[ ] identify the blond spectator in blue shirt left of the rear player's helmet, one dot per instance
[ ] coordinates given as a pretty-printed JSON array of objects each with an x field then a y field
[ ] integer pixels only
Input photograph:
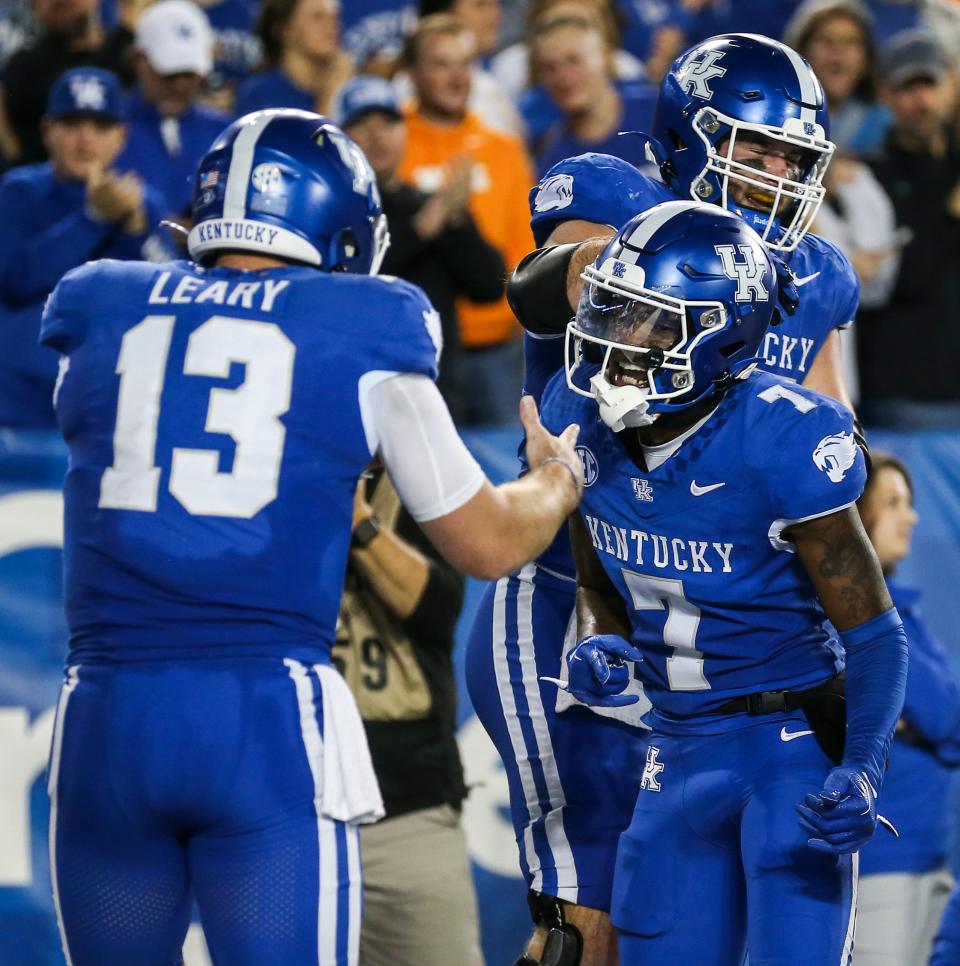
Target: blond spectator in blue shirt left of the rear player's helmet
[{"x": 572, "y": 58}]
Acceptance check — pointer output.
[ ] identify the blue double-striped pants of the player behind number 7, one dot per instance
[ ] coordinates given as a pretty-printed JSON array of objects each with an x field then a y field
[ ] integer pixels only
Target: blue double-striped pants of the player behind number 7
[{"x": 573, "y": 775}]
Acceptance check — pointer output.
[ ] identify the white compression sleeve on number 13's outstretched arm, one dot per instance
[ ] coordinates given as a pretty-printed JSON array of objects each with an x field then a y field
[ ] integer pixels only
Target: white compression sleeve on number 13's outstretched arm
[{"x": 429, "y": 464}]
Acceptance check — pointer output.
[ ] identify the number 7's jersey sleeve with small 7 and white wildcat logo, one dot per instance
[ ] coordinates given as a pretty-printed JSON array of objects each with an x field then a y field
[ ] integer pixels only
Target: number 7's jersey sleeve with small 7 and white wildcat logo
[{"x": 813, "y": 464}]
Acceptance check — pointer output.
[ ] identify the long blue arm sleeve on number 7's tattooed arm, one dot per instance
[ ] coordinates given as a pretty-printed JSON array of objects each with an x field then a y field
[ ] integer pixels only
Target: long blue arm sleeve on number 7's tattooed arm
[{"x": 876, "y": 683}]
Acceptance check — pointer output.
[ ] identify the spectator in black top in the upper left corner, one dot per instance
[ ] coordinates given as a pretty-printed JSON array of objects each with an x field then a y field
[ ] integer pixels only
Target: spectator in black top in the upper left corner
[{"x": 71, "y": 35}]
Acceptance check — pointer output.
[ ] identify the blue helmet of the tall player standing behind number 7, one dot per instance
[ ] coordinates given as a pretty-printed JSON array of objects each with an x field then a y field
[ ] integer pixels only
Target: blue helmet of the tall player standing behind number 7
[{"x": 724, "y": 93}]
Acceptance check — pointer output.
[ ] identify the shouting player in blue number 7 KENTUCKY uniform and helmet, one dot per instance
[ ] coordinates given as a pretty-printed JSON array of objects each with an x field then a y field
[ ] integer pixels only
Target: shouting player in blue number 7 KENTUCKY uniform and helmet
[{"x": 716, "y": 537}]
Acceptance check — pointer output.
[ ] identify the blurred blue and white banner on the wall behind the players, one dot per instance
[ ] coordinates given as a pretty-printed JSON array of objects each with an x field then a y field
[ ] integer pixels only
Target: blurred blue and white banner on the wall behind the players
[{"x": 32, "y": 636}]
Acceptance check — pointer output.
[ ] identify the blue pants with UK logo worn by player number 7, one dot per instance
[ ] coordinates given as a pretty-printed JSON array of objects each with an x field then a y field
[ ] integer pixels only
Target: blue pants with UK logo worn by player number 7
[{"x": 714, "y": 862}]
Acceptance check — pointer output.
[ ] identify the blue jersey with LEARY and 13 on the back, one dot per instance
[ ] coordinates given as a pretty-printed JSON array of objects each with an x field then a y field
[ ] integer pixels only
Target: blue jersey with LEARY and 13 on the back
[{"x": 216, "y": 437}]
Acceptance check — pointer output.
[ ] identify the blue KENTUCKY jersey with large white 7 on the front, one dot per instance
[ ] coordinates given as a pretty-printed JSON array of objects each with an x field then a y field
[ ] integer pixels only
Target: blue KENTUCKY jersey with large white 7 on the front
[{"x": 718, "y": 603}]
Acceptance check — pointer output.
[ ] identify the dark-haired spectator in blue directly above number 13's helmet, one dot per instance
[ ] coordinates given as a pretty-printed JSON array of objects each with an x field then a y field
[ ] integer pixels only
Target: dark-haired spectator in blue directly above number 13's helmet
[{"x": 304, "y": 63}]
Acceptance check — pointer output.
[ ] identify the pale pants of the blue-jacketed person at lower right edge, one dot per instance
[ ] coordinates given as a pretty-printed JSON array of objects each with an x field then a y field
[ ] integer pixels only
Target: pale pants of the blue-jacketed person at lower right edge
[{"x": 898, "y": 916}]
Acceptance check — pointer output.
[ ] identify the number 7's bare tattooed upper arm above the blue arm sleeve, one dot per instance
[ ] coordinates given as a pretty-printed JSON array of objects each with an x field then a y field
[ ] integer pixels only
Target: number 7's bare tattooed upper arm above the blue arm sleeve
[{"x": 843, "y": 567}]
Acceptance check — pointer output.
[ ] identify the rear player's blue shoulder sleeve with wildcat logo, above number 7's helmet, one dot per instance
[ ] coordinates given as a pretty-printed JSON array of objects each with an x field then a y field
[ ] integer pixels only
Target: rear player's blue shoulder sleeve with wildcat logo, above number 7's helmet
[{"x": 591, "y": 187}]
